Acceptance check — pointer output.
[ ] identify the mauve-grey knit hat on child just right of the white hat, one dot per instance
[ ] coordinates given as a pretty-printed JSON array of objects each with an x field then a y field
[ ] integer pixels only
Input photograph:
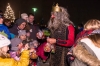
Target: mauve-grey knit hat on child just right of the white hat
[{"x": 14, "y": 43}]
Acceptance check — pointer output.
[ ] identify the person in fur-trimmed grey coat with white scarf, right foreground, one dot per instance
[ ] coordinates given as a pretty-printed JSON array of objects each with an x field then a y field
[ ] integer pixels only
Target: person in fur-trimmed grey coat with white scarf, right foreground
[{"x": 87, "y": 51}]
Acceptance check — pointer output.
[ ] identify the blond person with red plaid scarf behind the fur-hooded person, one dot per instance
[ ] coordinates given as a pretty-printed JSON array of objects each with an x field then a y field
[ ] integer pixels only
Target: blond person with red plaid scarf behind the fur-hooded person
[{"x": 89, "y": 27}]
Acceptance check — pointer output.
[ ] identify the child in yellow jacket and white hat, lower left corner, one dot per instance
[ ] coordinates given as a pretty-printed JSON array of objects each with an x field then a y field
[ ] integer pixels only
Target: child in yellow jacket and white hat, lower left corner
[{"x": 5, "y": 60}]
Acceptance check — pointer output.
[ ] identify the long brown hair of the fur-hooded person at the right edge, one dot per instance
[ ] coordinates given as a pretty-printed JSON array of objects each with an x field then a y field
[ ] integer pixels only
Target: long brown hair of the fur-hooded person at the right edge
[{"x": 95, "y": 38}]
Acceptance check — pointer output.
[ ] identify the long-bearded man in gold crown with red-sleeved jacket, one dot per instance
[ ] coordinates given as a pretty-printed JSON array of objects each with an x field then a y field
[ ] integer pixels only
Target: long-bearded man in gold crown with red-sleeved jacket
[{"x": 62, "y": 33}]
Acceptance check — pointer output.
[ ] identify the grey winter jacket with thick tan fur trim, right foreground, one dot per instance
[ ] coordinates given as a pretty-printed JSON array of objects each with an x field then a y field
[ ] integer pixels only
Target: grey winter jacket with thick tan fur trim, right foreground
[{"x": 84, "y": 56}]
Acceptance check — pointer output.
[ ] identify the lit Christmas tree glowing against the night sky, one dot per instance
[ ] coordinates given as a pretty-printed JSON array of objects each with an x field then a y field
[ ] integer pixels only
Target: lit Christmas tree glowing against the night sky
[{"x": 9, "y": 14}]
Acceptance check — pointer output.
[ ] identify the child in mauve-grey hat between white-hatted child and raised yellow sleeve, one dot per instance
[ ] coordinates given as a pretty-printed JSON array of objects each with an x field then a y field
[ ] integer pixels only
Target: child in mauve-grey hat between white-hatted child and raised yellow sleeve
[{"x": 16, "y": 46}]
